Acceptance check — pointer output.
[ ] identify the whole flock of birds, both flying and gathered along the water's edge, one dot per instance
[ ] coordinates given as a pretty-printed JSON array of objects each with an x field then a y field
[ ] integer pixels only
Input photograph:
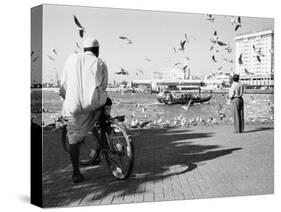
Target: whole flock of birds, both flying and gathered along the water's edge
[{"x": 217, "y": 45}]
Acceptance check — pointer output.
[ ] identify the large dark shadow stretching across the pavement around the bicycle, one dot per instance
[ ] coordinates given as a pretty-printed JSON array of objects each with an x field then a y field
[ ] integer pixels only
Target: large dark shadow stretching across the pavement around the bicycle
[{"x": 159, "y": 154}]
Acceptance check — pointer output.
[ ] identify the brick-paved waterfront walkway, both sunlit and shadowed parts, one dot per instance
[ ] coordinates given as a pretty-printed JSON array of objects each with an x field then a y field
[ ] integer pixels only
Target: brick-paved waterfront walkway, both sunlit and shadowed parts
[{"x": 174, "y": 164}]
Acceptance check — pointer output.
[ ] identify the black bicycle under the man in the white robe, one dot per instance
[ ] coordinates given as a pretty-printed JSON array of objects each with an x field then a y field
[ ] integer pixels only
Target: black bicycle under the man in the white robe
[{"x": 112, "y": 142}]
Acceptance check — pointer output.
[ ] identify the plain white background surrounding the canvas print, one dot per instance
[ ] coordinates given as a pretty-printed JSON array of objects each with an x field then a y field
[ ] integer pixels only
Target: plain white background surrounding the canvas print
[{"x": 15, "y": 101}]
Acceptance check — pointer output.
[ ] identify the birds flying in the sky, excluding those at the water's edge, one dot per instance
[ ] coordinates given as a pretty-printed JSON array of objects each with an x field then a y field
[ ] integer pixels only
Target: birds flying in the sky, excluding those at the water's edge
[{"x": 217, "y": 45}]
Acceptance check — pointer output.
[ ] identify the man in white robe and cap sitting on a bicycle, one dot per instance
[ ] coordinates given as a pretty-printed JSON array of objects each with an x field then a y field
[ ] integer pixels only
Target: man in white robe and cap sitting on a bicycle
[{"x": 84, "y": 81}]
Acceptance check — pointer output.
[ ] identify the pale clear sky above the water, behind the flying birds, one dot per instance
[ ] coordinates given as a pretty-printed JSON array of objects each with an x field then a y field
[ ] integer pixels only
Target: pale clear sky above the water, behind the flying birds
[{"x": 154, "y": 35}]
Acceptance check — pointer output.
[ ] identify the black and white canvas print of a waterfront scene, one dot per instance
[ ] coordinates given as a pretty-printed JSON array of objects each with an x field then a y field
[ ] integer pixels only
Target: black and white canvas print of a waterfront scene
[{"x": 134, "y": 106}]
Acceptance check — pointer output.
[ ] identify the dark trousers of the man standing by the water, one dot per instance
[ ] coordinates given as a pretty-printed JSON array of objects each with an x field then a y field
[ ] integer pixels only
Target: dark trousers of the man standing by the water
[{"x": 238, "y": 114}]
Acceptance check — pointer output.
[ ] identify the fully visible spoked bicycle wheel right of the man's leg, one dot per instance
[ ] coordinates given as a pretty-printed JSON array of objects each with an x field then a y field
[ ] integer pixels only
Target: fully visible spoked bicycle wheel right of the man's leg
[{"x": 120, "y": 157}]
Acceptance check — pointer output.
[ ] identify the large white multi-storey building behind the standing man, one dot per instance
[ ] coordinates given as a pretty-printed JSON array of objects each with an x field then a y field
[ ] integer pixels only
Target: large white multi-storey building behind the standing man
[{"x": 253, "y": 72}]
